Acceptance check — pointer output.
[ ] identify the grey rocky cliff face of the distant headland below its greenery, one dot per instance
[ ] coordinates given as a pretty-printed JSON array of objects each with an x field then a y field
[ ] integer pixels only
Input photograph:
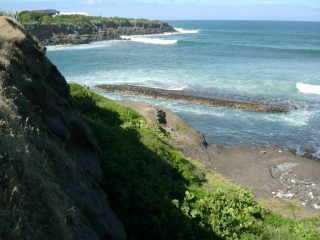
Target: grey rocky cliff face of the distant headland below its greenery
[{"x": 57, "y": 34}]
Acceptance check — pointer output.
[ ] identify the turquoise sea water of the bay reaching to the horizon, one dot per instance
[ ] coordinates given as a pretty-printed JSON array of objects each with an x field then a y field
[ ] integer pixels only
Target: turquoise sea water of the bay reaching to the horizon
[{"x": 237, "y": 59}]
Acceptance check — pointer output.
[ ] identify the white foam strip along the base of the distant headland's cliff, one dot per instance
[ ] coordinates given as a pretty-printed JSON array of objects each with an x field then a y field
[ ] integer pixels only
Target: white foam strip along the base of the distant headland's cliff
[{"x": 100, "y": 44}]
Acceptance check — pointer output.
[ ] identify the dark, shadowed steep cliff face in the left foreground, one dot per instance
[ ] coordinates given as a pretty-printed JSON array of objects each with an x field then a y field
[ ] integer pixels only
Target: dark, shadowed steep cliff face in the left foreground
[{"x": 49, "y": 162}]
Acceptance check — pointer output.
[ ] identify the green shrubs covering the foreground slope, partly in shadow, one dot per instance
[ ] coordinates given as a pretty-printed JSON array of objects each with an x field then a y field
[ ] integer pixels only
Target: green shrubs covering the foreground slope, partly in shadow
[{"x": 160, "y": 194}]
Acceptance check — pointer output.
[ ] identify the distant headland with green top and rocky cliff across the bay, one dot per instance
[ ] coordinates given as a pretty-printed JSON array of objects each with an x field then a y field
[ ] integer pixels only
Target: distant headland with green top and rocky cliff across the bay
[{"x": 76, "y": 29}]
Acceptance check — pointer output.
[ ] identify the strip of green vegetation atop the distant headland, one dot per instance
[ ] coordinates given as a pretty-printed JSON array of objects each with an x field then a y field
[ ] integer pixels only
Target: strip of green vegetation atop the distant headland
[{"x": 29, "y": 17}]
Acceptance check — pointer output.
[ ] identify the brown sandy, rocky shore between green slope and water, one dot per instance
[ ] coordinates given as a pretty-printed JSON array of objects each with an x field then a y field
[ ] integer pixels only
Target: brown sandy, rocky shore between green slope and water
[{"x": 283, "y": 181}]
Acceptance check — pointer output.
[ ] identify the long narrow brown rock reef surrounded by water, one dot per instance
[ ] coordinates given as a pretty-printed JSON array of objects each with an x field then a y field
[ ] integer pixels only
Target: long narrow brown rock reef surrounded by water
[{"x": 185, "y": 96}]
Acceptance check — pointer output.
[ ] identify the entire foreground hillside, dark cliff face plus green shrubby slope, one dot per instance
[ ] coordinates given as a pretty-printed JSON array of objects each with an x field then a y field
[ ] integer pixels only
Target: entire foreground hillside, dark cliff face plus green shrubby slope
[{"x": 73, "y": 148}]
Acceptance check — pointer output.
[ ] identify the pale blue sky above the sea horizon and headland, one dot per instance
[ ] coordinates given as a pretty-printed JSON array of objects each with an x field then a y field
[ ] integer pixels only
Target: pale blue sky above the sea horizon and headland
[{"x": 286, "y": 10}]
